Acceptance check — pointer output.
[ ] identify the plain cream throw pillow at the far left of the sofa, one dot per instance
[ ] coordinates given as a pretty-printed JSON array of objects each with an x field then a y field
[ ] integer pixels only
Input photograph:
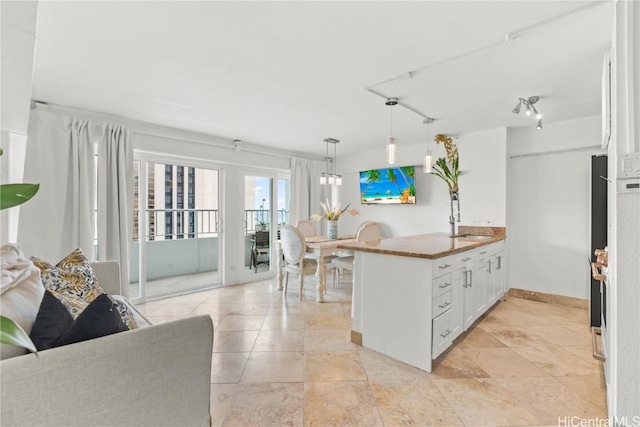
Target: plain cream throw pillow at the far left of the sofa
[{"x": 21, "y": 292}]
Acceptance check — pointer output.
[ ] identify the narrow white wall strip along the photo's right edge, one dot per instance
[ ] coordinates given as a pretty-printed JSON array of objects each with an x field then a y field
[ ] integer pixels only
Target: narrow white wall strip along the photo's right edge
[{"x": 623, "y": 298}]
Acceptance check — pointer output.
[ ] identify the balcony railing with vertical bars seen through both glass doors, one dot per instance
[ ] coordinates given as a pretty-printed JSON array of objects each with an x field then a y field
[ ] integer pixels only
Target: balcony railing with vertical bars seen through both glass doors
[{"x": 170, "y": 224}]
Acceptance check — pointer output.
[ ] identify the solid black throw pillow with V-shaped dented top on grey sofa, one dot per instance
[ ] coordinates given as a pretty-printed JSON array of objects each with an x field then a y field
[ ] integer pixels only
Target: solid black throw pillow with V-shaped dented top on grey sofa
[{"x": 55, "y": 327}]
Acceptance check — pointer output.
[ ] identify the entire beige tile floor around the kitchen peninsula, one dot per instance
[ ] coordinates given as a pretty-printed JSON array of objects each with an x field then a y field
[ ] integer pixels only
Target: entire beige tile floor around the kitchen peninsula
[{"x": 281, "y": 361}]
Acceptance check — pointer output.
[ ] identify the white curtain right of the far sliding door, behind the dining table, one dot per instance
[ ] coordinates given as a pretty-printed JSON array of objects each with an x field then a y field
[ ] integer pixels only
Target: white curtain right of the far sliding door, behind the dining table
[{"x": 306, "y": 191}]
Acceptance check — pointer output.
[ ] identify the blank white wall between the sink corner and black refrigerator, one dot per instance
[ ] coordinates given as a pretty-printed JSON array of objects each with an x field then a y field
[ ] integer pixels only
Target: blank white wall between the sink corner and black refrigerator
[{"x": 548, "y": 205}]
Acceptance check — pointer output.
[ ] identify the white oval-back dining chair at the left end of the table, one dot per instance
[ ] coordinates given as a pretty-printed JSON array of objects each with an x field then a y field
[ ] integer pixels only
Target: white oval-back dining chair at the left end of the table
[{"x": 293, "y": 249}]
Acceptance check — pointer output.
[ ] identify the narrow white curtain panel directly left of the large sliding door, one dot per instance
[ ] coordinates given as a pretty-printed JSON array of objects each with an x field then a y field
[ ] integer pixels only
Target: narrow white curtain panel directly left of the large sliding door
[{"x": 115, "y": 198}]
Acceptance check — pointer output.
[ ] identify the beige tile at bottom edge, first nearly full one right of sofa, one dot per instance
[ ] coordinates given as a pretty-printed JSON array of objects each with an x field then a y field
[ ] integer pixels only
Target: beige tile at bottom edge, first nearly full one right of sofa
[{"x": 267, "y": 404}]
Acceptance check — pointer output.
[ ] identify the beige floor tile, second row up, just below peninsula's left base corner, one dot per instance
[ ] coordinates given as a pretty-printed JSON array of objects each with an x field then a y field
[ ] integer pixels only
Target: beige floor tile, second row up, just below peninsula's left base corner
[{"x": 333, "y": 366}]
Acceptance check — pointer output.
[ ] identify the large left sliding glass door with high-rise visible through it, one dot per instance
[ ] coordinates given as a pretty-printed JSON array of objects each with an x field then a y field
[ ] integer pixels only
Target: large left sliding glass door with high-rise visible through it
[{"x": 176, "y": 228}]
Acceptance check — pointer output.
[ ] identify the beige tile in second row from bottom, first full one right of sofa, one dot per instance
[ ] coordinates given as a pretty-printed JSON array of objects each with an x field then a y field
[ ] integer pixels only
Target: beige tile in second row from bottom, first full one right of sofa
[{"x": 274, "y": 366}]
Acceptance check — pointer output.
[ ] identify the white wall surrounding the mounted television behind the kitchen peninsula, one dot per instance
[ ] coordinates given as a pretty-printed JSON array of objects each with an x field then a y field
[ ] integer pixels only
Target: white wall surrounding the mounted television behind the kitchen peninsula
[{"x": 482, "y": 186}]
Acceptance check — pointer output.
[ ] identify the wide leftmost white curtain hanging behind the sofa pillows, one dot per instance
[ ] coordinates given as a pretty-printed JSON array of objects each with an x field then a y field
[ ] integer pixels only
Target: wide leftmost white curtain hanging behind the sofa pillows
[{"x": 60, "y": 157}]
